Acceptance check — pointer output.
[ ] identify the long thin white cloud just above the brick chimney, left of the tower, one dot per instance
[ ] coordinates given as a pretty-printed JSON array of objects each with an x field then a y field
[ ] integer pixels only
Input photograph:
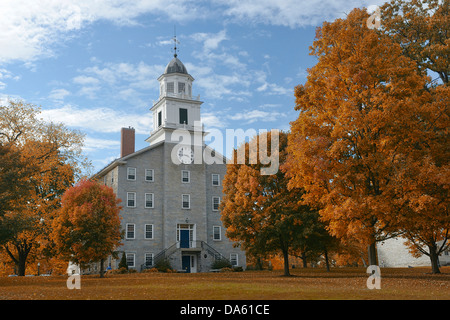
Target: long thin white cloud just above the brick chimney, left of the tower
[{"x": 103, "y": 120}]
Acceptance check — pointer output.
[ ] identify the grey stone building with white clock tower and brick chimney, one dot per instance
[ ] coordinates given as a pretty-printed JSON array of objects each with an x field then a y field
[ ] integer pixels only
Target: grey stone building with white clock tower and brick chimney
[{"x": 171, "y": 190}]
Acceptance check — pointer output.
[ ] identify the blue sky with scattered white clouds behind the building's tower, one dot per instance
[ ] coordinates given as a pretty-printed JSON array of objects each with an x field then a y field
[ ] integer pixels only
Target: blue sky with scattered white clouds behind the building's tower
[{"x": 93, "y": 65}]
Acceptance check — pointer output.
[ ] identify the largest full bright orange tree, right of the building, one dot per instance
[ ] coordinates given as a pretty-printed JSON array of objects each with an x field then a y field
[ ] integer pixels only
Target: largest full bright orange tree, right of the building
[{"x": 356, "y": 136}]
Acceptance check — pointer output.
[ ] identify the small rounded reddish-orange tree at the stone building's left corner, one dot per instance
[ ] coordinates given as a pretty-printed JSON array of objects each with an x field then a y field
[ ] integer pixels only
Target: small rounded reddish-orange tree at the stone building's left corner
[{"x": 87, "y": 227}]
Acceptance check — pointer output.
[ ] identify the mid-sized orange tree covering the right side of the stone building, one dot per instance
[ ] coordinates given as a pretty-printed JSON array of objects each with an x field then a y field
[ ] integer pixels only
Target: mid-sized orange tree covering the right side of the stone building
[{"x": 258, "y": 210}]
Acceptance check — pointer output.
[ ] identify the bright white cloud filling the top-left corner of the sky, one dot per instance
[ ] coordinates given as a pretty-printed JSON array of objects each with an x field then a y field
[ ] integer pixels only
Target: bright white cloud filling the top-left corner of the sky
[{"x": 28, "y": 29}]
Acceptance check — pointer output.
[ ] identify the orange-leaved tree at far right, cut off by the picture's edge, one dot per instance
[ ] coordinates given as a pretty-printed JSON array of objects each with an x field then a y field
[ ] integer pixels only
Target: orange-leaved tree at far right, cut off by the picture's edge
[{"x": 422, "y": 29}]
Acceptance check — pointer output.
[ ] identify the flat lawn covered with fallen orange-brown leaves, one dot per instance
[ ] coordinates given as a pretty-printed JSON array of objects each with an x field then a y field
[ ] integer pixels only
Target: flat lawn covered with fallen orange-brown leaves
[{"x": 315, "y": 284}]
